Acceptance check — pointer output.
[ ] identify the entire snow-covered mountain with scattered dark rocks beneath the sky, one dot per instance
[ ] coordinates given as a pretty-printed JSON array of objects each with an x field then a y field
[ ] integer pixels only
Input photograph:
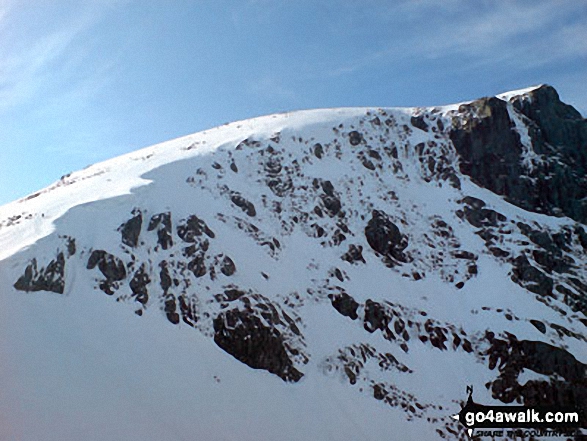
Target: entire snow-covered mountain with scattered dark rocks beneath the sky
[{"x": 336, "y": 274}]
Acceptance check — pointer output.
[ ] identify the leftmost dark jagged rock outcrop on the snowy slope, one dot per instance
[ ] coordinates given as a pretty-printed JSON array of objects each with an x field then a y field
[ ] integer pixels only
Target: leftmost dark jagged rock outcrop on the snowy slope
[{"x": 50, "y": 278}]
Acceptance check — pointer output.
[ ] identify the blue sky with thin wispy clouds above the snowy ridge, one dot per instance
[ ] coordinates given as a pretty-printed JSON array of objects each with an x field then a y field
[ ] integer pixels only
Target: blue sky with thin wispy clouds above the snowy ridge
[{"x": 84, "y": 81}]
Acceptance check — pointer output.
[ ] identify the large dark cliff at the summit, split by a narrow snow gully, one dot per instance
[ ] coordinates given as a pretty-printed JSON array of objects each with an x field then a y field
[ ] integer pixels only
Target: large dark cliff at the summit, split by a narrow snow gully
[{"x": 491, "y": 152}]
